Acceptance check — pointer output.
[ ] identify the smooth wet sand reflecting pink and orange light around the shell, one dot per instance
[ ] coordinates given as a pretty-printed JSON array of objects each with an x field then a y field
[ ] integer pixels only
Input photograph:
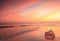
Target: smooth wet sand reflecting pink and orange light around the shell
[{"x": 14, "y": 34}]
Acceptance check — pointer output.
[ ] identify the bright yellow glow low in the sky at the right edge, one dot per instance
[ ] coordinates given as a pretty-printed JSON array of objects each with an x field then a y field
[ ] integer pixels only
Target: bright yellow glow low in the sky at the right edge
[{"x": 53, "y": 16}]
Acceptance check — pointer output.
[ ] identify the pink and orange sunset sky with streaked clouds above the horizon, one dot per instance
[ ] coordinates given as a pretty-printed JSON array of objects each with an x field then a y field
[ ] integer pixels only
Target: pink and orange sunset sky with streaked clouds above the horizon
[{"x": 30, "y": 11}]
